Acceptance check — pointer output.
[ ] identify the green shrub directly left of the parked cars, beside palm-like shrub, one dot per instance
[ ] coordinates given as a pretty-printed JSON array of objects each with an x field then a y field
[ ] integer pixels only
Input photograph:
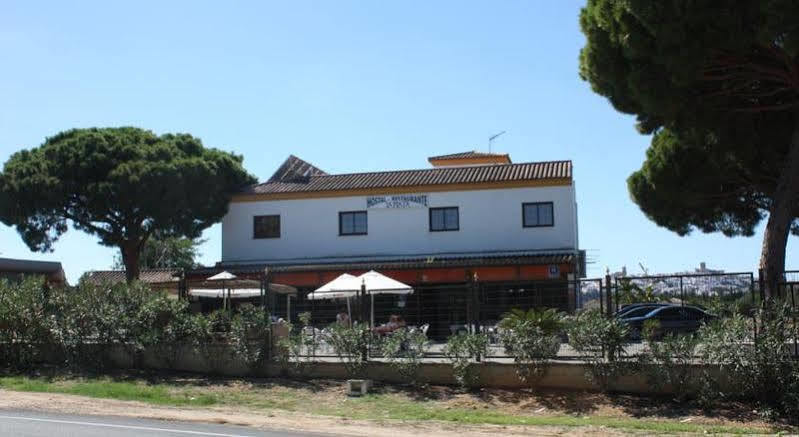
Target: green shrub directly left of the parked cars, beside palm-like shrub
[{"x": 600, "y": 341}]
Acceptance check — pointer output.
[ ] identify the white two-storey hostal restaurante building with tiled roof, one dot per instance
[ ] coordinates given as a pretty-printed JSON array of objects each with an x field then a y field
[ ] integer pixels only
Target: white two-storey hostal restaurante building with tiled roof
[{"x": 475, "y": 233}]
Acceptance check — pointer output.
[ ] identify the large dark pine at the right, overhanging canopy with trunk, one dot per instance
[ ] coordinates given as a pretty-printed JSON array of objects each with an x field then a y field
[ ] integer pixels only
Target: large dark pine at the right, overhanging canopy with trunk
[{"x": 717, "y": 84}]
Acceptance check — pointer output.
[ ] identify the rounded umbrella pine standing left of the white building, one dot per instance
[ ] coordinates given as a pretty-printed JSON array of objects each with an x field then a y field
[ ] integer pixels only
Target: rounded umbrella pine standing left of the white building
[{"x": 120, "y": 184}]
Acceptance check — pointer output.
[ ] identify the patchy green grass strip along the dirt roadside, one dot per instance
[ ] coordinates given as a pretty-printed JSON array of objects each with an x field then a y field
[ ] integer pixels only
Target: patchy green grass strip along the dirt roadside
[{"x": 371, "y": 407}]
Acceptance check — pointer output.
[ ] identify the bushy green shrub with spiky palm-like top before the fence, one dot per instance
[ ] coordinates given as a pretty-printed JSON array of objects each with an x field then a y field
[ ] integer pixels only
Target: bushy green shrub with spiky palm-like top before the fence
[{"x": 532, "y": 338}]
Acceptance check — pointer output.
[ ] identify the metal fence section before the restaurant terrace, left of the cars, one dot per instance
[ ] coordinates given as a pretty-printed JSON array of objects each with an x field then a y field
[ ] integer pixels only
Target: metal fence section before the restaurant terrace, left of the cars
[{"x": 440, "y": 310}]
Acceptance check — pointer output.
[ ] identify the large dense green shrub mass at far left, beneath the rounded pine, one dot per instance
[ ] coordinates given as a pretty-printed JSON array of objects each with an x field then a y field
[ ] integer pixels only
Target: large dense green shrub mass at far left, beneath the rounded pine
[{"x": 80, "y": 323}]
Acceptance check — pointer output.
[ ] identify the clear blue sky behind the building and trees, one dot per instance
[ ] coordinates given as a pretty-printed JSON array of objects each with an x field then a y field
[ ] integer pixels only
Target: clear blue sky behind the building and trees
[{"x": 347, "y": 85}]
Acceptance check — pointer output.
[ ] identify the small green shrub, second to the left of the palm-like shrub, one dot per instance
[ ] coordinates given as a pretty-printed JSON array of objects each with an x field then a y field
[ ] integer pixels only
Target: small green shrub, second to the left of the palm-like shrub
[{"x": 404, "y": 349}]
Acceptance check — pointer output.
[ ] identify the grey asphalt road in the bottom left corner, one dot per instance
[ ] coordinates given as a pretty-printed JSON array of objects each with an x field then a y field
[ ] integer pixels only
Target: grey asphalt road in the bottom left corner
[{"x": 21, "y": 423}]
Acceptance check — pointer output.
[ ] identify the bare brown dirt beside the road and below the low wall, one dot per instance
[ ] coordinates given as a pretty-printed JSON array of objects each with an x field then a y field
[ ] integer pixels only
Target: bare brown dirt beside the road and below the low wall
[{"x": 539, "y": 403}]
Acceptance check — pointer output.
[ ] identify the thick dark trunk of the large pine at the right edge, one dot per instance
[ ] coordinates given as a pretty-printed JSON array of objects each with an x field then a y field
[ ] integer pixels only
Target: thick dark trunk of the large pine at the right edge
[{"x": 781, "y": 215}]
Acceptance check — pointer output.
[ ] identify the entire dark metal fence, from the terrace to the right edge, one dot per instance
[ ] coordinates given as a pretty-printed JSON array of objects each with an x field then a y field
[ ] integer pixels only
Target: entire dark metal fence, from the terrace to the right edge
[{"x": 444, "y": 310}]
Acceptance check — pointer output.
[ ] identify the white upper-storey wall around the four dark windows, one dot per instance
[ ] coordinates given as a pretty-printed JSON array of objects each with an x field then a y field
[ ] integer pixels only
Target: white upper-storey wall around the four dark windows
[{"x": 490, "y": 220}]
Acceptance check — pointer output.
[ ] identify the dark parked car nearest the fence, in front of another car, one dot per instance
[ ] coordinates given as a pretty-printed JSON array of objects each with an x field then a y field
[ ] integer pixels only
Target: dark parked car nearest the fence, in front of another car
[{"x": 673, "y": 319}]
